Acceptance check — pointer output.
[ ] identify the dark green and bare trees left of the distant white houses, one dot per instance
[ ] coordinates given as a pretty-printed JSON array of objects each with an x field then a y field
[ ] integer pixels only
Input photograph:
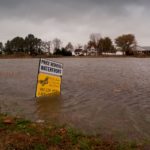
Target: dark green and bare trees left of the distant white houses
[{"x": 31, "y": 45}]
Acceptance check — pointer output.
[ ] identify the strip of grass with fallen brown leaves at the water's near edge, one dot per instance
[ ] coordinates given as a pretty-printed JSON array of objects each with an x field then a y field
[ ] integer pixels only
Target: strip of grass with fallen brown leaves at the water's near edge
[{"x": 20, "y": 134}]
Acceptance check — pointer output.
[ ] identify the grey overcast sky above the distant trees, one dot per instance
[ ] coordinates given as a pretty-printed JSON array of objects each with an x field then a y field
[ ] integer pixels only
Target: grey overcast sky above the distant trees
[{"x": 74, "y": 20}]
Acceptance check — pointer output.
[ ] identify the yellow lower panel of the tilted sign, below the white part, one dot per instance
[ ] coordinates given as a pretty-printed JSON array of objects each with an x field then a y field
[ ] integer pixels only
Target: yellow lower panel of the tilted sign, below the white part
[{"x": 48, "y": 85}]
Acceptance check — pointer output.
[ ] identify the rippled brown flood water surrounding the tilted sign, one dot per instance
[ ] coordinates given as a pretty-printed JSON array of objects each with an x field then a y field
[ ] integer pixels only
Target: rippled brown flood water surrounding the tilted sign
[{"x": 108, "y": 96}]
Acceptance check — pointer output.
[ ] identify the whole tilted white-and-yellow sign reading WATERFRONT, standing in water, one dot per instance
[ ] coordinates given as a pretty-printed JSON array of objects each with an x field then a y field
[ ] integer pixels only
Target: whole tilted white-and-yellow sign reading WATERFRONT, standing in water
[{"x": 49, "y": 78}]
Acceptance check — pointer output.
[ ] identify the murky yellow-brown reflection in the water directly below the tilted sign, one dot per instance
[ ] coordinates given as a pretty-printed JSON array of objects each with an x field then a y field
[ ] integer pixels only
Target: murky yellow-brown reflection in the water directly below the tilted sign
[{"x": 48, "y": 108}]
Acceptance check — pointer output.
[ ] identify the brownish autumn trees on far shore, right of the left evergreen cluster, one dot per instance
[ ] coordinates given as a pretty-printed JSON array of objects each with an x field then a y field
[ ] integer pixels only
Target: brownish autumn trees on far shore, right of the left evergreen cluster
[{"x": 125, "y": 43}]
